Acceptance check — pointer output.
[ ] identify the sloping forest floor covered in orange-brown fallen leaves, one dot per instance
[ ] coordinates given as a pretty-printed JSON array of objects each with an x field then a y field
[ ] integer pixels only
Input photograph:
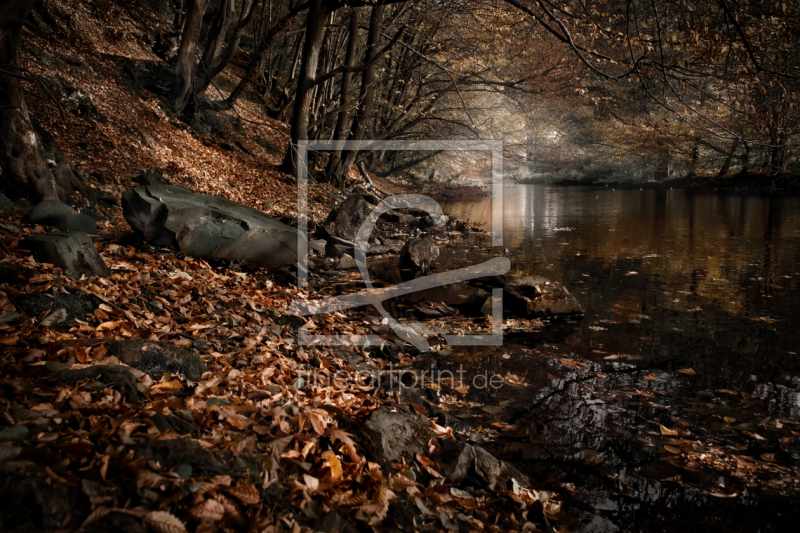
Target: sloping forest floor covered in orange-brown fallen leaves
[{"x": 242, "y": 443}]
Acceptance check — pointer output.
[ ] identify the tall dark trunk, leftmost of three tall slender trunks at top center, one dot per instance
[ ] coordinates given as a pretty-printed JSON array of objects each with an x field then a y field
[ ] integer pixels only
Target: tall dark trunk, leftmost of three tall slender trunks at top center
[{"x": 315, "y": 31}]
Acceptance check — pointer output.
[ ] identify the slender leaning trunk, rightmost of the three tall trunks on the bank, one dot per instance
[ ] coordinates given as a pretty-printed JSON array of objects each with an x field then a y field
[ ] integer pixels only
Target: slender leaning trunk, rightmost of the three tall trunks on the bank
[{"x": 366, "y": 96}]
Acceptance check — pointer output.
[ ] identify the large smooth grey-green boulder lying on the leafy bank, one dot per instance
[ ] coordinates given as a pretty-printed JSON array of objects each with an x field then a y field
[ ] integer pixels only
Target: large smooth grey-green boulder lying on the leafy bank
[{"x": 203, "y": 225}]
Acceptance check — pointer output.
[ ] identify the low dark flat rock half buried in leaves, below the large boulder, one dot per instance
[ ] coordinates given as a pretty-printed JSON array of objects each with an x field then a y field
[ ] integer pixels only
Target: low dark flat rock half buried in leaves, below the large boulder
[{"x": 152, "y": 357}]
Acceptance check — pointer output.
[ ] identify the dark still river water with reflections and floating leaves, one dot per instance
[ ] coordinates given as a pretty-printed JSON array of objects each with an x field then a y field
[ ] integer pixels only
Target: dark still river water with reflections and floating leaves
[{"x": 692, "y": 307}]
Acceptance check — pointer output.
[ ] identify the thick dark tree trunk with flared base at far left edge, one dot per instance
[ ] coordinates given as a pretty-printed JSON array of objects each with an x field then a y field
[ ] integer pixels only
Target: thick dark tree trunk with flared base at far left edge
[{"x": 28, "y": 161}]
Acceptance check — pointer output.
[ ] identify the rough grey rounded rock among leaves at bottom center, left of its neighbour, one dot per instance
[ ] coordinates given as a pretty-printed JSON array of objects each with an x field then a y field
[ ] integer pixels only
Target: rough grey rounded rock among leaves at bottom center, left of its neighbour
[{"x": 389, "y": 437}]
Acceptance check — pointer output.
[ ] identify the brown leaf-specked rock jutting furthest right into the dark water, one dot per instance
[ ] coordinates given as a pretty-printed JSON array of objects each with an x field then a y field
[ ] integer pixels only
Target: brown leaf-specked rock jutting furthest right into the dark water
[{"x": 535, "y": 295}]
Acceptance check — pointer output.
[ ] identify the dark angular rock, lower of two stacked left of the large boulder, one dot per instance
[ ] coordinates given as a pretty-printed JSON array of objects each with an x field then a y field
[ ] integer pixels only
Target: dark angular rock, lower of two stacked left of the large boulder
[{"x": 73, "y": 252}]
